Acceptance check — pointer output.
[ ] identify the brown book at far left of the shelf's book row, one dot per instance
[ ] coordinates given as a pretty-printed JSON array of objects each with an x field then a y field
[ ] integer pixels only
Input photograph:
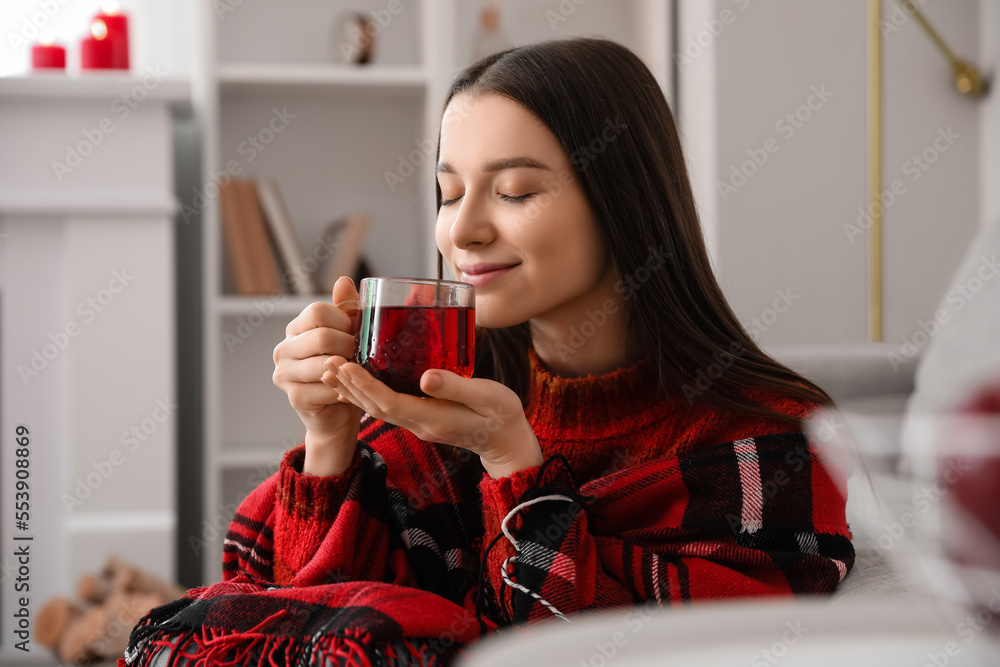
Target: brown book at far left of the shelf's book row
[{"x": 248, "y": 240}]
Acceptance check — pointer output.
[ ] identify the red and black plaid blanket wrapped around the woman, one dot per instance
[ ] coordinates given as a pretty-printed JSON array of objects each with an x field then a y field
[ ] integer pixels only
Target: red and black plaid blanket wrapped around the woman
[{"x": 390, "y": 577}]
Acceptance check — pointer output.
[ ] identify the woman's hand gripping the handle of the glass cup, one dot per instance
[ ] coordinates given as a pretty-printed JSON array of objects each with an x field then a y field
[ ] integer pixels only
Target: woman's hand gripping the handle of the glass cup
[{"x": 321, "y": 330}]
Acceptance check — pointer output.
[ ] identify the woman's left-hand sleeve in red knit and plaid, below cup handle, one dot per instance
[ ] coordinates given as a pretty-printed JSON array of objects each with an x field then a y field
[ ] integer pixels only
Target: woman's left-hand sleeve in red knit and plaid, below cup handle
[{"x": 395, "y": 516}]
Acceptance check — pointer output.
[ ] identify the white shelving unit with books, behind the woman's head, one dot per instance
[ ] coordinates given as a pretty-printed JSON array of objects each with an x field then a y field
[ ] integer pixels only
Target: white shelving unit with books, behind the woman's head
[{"x": 347, "y": 126}]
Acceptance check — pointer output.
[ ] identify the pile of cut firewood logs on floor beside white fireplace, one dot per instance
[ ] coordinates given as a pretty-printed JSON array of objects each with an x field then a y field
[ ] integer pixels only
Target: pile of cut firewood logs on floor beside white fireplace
[{"x": 97, "y": 626}]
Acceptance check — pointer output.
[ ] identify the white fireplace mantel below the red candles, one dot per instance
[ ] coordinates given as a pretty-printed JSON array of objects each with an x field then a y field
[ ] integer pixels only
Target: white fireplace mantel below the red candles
[{"x": 87, "y": 329}]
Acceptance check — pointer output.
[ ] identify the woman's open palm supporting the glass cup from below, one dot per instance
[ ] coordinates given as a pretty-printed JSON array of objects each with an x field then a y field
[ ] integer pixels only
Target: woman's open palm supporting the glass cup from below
[{"x": 477, "y": 414}]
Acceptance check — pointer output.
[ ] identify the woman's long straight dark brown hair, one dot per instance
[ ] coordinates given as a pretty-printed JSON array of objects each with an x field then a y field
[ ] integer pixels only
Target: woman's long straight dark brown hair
[{"x": 637, "y": 185}]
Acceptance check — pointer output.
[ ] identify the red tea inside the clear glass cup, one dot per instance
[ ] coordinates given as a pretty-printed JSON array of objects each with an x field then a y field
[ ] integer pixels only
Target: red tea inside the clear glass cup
[{"x": 396, "y": 344}]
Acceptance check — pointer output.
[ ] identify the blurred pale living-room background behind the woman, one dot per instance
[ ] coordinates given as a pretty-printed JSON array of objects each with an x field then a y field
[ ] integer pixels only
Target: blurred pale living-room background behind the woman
[{"x": 162, "y": 219}]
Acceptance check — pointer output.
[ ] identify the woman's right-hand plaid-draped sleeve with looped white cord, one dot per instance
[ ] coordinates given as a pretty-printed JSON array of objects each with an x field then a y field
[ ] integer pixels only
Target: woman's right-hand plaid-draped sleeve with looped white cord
[{"x": 753, "y": 517}]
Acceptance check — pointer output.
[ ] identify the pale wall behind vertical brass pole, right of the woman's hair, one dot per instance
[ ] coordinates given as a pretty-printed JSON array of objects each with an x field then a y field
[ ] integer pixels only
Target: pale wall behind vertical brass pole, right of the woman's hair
[{"x": 744, "y": 65}]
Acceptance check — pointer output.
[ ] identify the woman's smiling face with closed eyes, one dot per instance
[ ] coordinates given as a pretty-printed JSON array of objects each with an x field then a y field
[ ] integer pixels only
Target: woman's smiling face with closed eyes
[{"x": 513, "y": 219}]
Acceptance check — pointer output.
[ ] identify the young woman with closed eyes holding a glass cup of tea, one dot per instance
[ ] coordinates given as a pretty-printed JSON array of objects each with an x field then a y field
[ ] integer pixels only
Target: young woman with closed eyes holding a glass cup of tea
[{"x": 624, "y": 439}]
